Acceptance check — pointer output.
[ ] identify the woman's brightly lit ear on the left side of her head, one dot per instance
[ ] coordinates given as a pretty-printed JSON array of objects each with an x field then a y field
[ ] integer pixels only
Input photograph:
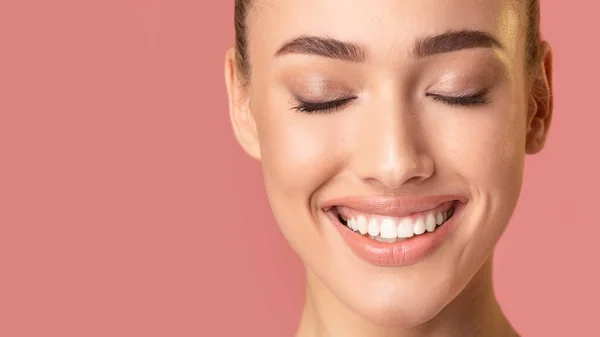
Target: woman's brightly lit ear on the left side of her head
[{"x": 242, "y": 119}]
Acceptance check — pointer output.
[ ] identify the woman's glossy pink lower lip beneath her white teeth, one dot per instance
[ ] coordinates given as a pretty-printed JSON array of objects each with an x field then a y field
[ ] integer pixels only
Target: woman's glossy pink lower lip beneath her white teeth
[{"x": 398, "y": 254}]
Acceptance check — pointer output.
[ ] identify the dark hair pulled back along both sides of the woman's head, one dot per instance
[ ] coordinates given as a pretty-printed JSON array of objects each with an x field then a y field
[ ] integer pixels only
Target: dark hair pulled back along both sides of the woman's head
[{"x": 242, "y": 7}]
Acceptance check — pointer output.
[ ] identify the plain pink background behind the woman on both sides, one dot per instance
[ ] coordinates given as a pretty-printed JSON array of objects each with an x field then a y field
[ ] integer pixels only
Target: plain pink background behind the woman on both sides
[{"x": 127, "y": 208}]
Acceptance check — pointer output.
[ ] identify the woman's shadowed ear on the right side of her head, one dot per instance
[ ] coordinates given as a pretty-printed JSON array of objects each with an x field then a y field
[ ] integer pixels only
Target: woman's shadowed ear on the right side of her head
[{"x": 541, "y": 103}]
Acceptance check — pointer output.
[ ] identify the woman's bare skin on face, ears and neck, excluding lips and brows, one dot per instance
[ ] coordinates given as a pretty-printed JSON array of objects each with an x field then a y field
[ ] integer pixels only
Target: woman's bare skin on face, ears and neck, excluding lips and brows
[{"x": 392, "y": 138}]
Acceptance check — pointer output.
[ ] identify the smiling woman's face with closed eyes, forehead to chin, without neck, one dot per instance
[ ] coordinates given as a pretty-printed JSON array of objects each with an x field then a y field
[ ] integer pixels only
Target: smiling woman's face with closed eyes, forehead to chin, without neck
[{"x": 412, "y": 122}]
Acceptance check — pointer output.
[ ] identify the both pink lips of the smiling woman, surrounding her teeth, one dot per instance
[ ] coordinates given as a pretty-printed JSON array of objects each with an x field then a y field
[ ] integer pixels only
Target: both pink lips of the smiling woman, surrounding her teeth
[{"x": 403, "y": 253}]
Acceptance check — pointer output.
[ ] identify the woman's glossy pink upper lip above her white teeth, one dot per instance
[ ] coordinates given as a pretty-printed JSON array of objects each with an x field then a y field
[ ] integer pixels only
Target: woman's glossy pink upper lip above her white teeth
[{"x": 392, "y": 206}]
